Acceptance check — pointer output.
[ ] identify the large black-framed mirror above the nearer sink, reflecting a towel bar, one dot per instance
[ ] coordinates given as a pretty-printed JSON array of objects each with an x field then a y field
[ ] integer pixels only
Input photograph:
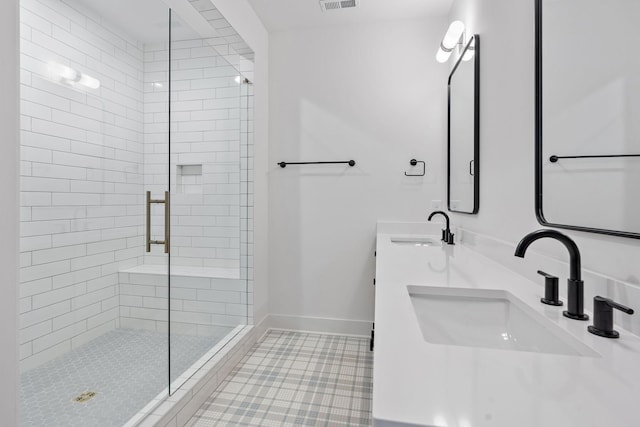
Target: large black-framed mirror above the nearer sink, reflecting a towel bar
[{"x": 587, "y": 108}]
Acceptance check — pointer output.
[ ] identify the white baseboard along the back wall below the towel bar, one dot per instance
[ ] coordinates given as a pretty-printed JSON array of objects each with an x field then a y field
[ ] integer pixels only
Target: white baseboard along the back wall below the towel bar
[{"x": 360, "y": 328}]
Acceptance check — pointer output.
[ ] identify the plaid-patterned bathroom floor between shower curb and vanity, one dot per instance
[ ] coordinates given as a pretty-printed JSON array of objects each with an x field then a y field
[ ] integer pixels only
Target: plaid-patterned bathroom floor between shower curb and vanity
[{"x": 295, "y": 379}]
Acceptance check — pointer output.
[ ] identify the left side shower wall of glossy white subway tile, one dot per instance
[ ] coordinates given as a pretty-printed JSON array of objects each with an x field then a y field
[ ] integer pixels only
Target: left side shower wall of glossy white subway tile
[{"x": 81, "y": 175}]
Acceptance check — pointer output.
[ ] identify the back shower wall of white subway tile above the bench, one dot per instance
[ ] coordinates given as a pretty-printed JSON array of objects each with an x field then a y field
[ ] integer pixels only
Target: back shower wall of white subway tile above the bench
[{"x": 205, "y": 140}]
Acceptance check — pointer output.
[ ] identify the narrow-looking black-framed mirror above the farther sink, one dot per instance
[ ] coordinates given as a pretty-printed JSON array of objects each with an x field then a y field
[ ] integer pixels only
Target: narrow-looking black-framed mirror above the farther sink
[{"x": 463, "y": 125}]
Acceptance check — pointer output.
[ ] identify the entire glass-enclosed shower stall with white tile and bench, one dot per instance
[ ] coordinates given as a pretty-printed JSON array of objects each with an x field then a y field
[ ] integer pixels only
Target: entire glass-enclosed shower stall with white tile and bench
[{"x": 135, "y": 203}]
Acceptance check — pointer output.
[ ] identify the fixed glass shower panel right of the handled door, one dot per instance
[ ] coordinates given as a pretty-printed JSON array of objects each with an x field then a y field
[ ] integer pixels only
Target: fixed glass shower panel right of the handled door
[{"x": 208, "y": 293}]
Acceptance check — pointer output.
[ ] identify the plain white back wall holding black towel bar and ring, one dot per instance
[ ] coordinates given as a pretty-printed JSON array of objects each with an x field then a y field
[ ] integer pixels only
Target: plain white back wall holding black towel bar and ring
[{"x": 373, "y": 93}]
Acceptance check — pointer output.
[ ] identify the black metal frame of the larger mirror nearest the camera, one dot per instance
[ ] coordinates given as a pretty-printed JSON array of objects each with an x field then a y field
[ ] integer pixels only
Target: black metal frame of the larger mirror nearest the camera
[{"x": 538, "y": 145}]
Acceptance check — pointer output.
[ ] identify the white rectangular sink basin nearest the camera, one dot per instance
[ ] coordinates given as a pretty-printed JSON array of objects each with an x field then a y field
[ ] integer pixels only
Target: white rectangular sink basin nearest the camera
[{"x": 490, "y": 319}]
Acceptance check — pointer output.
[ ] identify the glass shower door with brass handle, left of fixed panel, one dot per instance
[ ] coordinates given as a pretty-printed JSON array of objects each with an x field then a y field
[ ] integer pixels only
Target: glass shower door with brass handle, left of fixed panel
[{"x": 95, "y": 133}]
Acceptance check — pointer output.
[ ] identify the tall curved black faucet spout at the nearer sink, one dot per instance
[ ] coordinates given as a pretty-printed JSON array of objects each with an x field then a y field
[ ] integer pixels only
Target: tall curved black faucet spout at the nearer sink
[{"x": 575, "y": 285}]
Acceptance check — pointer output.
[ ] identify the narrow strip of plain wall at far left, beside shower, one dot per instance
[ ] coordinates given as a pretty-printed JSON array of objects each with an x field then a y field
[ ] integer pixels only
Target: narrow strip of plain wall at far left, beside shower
[{"x": 9, "y": 109}]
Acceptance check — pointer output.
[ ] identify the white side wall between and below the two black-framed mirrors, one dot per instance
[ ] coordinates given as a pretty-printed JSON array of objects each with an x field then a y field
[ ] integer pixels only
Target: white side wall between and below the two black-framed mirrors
[{"x": 506, "y": 28}]
